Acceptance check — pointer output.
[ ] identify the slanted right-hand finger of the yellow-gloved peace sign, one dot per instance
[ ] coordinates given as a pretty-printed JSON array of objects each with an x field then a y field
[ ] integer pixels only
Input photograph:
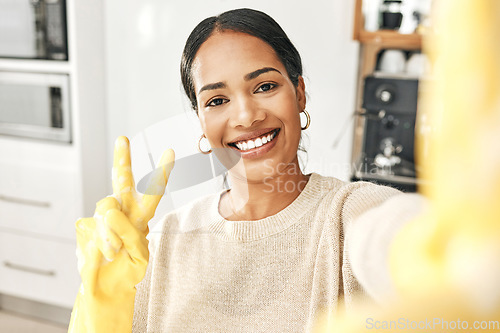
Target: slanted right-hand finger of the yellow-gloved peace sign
[{"x": 157, "y": 182}]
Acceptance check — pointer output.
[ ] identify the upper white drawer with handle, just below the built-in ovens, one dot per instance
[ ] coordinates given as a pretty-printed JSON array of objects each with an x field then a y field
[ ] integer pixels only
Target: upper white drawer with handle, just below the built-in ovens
[{"x": 38, "y": 199}]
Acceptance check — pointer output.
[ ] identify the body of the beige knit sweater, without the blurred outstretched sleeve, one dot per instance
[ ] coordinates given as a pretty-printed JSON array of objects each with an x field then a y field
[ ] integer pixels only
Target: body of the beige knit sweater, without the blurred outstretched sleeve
[{"x": 277, "y": 274}]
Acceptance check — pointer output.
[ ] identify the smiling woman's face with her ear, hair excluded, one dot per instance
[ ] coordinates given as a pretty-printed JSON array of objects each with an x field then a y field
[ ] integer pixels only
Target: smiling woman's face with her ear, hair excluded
[{"x": 245, "y": 98}]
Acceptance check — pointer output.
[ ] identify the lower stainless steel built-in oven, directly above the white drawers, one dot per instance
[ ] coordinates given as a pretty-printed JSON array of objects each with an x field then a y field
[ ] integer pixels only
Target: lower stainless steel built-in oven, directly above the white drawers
[{"x": 35, "y": 106}]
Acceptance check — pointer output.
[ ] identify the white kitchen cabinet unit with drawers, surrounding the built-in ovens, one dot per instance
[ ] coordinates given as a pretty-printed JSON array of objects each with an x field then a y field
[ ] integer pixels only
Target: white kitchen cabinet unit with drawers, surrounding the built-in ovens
[{"x": 44, "y": 185}]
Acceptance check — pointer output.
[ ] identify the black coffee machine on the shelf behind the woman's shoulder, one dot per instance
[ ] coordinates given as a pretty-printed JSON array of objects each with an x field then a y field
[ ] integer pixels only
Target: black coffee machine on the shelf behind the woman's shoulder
[{"x": 387, "y": 149}]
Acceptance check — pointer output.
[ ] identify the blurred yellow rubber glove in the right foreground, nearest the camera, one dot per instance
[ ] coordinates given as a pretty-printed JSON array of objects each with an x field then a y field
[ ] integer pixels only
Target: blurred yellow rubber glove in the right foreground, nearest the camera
[{"x": 446, "y": 263}]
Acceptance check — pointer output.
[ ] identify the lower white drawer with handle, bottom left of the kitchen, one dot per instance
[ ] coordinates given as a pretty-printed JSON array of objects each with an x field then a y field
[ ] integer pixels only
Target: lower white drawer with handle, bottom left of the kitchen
[{"x": 38, "y": 269}]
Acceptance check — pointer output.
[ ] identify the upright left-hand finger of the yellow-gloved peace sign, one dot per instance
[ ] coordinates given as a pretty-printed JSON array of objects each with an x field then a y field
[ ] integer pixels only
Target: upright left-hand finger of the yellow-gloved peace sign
[{"x": 123, "y": 180}]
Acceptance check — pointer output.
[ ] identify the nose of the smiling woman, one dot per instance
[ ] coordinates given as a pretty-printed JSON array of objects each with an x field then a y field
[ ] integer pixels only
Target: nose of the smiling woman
[{"x": 245, "y": 112}]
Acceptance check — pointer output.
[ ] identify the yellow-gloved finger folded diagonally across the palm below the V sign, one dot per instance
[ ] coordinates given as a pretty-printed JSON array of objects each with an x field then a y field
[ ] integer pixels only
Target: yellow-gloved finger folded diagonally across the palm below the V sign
[{"x": 134, "y": 242}]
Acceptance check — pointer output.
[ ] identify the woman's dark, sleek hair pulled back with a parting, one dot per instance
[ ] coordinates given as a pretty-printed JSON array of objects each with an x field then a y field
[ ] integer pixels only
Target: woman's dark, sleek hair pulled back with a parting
[{"x": 249, "y": 21}]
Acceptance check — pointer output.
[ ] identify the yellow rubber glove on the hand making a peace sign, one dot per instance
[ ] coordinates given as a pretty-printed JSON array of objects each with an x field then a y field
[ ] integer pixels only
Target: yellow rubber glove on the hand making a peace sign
[{"x": 112, "y": 247}]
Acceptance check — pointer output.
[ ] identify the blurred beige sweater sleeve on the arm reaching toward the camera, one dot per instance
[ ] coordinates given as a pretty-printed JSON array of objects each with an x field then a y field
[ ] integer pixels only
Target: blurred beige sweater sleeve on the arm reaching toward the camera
[{"x": 369, "y": 237}]
